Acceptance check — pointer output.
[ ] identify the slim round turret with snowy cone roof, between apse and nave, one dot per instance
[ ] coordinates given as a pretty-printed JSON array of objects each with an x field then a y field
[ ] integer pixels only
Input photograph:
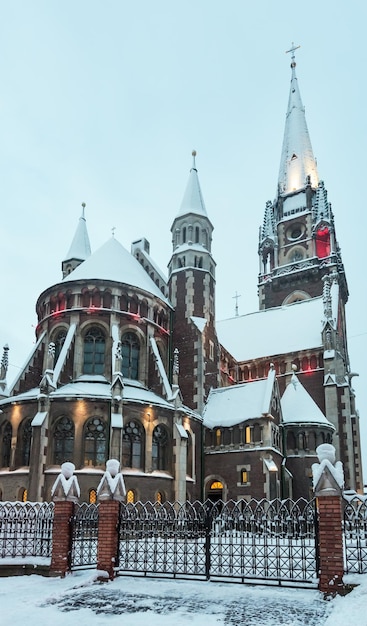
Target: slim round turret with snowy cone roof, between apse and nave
[{"x": 192, "y": 293}]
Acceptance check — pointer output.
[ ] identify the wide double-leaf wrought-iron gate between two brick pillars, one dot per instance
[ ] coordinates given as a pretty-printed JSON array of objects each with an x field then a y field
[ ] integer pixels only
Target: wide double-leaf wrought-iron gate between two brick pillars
[{"x": 260, "y": 540}]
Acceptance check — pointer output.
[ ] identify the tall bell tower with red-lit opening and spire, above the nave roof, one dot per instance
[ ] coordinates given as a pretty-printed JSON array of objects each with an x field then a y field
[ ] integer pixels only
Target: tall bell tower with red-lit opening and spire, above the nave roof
[{"x": 297, "y": 241}]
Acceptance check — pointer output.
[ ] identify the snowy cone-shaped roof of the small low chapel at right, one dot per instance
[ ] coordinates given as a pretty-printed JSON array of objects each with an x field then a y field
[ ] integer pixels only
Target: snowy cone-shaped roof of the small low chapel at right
[{"x": 299, "y": 407}]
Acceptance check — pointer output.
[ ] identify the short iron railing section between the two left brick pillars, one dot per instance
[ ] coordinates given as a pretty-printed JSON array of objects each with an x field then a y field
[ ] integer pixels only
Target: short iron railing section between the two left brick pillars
[{"x": 84, "y": 525}]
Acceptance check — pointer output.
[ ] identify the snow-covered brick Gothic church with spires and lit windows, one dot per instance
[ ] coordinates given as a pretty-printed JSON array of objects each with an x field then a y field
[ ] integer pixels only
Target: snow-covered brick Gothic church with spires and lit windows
[{"x": 132, "y": 365}]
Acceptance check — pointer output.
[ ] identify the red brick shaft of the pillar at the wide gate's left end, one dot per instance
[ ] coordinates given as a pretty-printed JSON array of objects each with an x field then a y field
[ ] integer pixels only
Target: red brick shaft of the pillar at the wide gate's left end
[{"x": 108, "y": 536}]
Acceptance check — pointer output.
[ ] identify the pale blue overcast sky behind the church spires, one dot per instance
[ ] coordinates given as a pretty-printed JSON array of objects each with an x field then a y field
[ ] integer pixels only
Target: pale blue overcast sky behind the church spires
[{"x": 103, "y": 102}]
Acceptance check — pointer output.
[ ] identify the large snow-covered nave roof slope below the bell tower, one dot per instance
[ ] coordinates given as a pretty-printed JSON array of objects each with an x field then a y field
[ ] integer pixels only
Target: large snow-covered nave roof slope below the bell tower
[{"x": 280, "y": 330}]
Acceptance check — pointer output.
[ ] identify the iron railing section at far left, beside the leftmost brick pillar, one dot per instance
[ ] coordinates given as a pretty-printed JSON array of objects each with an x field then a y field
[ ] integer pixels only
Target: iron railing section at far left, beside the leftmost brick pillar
[{"x": 26, "y": 529}]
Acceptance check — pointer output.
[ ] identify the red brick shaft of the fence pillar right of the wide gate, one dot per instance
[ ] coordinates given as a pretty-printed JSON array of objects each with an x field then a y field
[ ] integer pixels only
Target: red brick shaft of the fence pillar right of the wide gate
[{"x": 330, "y": 544}]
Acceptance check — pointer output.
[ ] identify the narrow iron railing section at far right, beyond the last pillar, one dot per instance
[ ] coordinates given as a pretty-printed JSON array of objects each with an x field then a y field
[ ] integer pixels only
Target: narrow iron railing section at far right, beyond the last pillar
[{"x": 355, "y": 535}]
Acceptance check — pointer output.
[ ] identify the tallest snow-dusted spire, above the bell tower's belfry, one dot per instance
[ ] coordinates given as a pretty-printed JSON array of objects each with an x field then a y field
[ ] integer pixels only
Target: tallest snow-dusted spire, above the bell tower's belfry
[{"x": 297, "y": 160}]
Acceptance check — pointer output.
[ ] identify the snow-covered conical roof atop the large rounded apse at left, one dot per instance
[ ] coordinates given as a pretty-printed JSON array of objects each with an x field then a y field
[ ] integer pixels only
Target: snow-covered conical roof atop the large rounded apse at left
[{"x": 114, "y": 263}]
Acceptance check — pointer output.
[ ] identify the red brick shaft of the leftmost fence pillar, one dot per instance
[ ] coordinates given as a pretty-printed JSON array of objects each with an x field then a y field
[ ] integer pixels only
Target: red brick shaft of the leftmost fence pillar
[{"x": 61, "y": 538}]
